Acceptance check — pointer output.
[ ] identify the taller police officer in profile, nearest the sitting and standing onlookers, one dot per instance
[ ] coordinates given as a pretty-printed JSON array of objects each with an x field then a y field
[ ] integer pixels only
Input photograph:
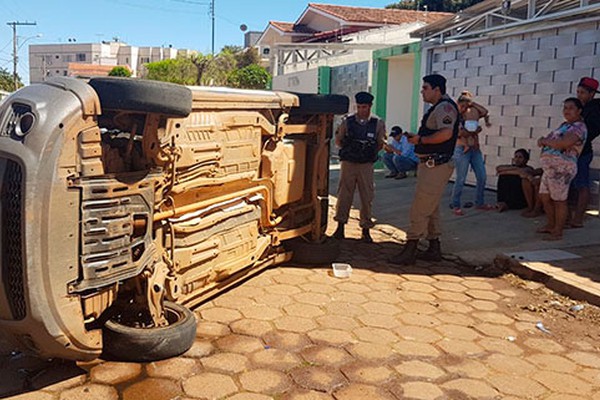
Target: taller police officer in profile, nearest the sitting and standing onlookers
[{"x": 434, "y": 144}]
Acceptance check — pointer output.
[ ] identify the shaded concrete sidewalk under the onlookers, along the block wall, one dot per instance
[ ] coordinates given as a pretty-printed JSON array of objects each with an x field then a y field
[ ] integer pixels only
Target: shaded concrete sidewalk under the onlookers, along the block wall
[{"x": 569, "y": 266}]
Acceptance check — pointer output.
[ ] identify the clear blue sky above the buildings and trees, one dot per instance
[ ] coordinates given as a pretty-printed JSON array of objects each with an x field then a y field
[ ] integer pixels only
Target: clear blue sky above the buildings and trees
[{"x": 181, "y": 23}]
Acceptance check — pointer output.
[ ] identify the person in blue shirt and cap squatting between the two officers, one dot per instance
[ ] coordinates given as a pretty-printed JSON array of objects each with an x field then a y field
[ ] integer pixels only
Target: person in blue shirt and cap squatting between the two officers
[{"x": 399, "y": 156}]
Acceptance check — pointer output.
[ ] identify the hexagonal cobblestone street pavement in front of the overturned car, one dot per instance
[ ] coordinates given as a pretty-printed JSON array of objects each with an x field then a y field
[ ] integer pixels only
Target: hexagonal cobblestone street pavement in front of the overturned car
[{"x": 433, "y": 331}]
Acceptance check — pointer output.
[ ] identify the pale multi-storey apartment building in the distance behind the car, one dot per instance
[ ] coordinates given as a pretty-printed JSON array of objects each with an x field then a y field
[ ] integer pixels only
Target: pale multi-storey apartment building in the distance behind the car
[{"x": 48, "y": 60}]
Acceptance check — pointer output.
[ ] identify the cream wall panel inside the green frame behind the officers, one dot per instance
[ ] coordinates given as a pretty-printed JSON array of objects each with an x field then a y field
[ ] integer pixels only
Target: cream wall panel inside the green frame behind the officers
[{"x": 400, "y": 88}]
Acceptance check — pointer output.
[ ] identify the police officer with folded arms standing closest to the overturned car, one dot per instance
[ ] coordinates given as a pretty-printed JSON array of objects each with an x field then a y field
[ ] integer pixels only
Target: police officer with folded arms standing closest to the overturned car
[{"x": 360, "y": 137}]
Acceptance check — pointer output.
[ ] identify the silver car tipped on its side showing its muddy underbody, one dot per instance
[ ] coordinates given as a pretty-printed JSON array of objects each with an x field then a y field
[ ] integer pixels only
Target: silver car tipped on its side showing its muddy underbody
[{"x": 124, "y": 203}]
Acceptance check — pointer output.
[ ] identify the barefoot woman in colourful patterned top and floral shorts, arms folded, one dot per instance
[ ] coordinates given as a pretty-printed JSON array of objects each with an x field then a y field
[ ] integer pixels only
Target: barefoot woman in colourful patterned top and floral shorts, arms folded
[{"x": 560, "y": 150}]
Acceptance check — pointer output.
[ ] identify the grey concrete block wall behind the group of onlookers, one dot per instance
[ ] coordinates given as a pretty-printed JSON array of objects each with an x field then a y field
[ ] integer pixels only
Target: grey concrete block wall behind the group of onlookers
[{"x": 522, "y": 79}]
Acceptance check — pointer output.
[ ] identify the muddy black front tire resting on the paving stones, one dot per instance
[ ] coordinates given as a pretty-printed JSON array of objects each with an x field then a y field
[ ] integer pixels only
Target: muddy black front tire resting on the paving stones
[{"x": 125, "y": 343}]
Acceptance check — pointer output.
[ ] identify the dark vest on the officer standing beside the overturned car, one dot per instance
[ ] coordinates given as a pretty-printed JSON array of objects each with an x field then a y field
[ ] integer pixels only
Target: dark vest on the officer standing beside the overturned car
[{"x": 360, "y": 143}]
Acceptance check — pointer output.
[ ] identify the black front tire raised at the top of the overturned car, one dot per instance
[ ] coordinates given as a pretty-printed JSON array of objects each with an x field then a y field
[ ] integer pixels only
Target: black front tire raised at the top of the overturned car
[{"x": 143, "y": 96}]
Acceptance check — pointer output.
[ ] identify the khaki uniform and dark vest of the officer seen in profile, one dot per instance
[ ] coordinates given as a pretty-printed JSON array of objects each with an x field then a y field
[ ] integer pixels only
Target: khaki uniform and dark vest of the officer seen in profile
[{"x": 434, "y": 170}]
